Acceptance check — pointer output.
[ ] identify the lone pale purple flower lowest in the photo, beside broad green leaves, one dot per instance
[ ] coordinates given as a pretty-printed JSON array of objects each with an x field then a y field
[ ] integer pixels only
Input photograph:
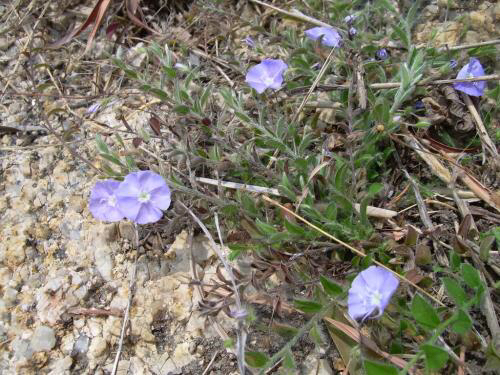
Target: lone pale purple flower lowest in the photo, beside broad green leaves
[{"x": 370, "y": 292}]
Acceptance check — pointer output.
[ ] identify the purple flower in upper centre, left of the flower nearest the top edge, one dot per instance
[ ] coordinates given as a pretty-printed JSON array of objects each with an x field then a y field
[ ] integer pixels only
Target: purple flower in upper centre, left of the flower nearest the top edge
[{"x": 267, "y": 74}]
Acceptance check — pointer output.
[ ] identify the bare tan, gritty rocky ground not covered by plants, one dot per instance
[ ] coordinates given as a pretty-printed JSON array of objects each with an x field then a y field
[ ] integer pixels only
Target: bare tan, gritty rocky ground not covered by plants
[{"x": 65, "y": 276}]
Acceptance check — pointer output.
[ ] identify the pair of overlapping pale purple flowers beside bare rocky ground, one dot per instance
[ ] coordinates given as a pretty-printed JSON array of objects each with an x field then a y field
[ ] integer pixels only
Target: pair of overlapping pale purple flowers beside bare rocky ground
[{"x": 140, "y": 197}]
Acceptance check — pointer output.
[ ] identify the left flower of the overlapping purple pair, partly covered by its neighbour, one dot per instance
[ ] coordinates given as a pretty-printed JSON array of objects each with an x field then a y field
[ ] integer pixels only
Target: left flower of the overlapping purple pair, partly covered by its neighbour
[{"x": 103, "y": 201}]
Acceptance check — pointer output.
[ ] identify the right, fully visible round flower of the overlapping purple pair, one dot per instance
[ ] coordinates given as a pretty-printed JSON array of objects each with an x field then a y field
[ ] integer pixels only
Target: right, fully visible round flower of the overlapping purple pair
[{"x": 142, "y": 196}]
